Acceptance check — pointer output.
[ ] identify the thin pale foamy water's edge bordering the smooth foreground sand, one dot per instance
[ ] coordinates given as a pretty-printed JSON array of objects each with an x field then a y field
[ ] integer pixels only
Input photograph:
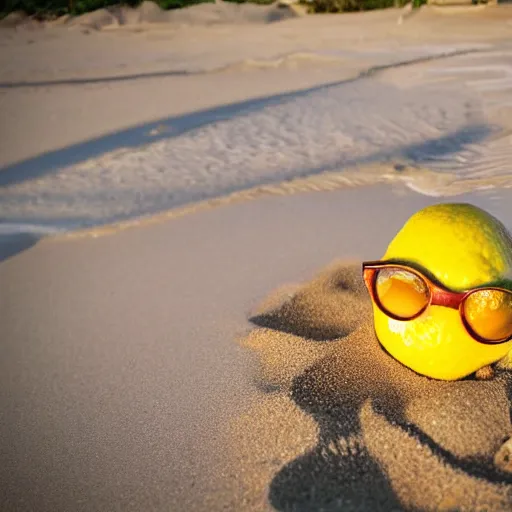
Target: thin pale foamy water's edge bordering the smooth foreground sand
[{"x": 423, "y": 182}]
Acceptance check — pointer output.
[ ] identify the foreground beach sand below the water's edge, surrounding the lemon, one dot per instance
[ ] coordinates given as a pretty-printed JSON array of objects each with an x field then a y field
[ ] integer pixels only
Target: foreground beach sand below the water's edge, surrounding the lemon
[{"x": 130, "y": 379}]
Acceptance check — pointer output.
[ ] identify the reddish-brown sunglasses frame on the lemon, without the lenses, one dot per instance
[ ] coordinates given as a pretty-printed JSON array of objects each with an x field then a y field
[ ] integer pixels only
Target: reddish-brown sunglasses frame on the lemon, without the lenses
[{"x": 438, "y": 295}]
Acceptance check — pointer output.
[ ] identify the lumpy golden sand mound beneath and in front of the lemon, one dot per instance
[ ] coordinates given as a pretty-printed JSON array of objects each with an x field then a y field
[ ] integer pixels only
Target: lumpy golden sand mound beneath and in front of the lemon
[{"x": 387, "y": 438}]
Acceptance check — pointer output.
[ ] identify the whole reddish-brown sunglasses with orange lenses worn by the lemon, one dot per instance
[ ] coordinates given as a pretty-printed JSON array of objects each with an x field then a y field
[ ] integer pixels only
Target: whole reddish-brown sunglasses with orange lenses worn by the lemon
[{"x": 403, "y": 293}]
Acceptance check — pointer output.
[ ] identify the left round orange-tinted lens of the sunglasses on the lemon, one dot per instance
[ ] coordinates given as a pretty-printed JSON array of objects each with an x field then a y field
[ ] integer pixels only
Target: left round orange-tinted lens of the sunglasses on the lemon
[{"x": 400, "y": 293}]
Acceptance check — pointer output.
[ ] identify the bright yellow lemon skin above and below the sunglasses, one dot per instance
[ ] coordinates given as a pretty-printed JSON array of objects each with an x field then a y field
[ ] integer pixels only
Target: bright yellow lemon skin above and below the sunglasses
[{"x": 462, "y": 247}]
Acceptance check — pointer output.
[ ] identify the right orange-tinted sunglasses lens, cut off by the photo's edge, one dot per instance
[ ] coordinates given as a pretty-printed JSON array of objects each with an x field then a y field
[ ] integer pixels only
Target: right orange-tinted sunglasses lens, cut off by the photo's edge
[{"x": 489, "y": 314}]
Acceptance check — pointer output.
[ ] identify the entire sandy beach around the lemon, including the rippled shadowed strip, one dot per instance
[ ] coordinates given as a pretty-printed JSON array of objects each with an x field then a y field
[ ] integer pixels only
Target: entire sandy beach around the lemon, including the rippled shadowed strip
[{"x": 220, "y": 355}]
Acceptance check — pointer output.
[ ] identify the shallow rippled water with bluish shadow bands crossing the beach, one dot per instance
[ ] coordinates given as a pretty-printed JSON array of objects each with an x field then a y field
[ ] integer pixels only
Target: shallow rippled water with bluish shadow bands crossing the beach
[{"x": 443, "y": 113}]
